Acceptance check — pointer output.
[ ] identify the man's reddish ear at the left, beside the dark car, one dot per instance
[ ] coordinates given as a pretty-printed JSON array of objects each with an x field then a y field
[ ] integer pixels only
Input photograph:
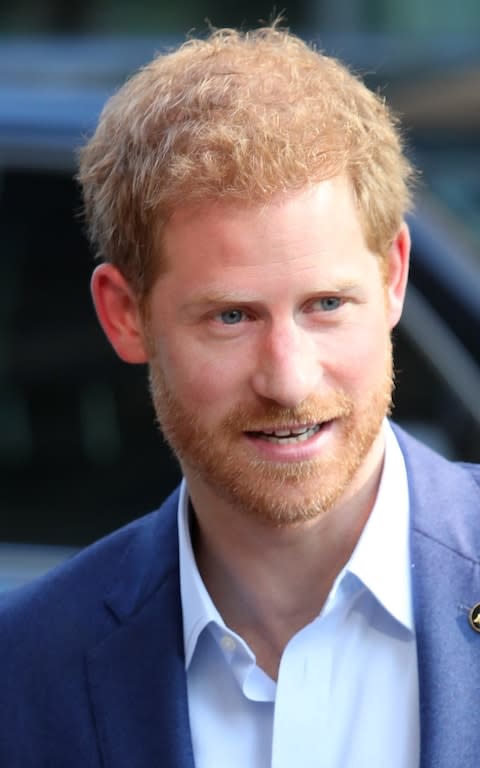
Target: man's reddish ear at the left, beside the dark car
[{"x": 118, "y": 313}]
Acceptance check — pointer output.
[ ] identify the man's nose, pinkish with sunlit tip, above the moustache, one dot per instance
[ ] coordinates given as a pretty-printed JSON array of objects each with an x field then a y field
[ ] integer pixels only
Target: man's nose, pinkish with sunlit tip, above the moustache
[{"x": 288, "y": 368}]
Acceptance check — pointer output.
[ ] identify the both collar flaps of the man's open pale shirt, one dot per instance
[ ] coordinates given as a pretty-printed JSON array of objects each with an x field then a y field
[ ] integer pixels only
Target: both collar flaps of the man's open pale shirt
[{"x": 380, "y": 561}]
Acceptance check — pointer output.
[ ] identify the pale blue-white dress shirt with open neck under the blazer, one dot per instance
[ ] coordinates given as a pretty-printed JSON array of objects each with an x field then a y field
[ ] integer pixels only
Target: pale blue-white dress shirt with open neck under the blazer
[{"x": 347, "y": 688}]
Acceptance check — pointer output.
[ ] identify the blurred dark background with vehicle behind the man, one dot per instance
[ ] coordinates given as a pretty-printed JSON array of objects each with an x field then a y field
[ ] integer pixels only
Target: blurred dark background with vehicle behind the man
[{"x": 79, "y": 451}]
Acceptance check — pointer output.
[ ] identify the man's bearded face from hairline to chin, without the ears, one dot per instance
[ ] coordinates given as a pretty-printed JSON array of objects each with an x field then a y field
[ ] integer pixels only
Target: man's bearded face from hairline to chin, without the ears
[{"x": 270, "y": 355}]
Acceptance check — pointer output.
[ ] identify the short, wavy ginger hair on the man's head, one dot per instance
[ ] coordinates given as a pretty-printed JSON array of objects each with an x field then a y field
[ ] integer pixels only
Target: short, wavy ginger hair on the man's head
[{"x": 239, "y": 116}]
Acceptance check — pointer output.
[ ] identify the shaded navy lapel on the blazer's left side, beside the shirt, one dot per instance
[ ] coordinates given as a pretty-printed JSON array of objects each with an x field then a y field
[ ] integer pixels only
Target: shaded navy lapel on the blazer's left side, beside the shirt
[{"x": 137, "y": 674}]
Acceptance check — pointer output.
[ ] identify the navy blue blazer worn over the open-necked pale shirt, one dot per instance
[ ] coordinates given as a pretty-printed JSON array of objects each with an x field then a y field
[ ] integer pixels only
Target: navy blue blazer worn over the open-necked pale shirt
[{"x": 91, "y": 655}]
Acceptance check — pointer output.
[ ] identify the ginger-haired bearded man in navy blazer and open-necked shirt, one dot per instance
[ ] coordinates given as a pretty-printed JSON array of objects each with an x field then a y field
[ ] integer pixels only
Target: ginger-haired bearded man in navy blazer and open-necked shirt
[{"x": 308, "y": 595}]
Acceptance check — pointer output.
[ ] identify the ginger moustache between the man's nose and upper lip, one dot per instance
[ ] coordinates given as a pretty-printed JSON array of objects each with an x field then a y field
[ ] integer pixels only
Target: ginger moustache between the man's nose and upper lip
[{"x": 270, "y": 415}]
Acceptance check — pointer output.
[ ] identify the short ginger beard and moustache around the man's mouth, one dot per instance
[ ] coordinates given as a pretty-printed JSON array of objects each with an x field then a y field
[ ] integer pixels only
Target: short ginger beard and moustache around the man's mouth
[{"x": 277, "y": 493}]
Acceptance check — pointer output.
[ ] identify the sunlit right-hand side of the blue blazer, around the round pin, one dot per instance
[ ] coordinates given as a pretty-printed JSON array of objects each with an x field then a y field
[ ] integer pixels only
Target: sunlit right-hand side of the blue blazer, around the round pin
[{"x": 445, "y": 549}]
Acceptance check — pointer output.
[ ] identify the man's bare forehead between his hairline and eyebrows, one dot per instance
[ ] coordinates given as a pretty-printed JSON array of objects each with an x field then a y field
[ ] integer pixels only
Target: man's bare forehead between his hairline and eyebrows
[{"x": 323, "y": 216}]
